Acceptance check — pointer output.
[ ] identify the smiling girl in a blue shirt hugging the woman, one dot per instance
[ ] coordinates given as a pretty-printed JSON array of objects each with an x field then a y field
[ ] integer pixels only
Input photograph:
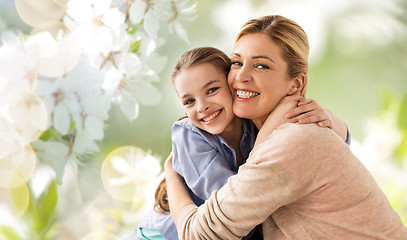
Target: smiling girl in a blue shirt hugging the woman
[{"x": 210, "y": 144}]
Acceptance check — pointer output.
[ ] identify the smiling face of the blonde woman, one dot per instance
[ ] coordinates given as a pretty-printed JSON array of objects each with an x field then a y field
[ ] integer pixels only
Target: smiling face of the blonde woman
[{"x": 258, "y": 77}]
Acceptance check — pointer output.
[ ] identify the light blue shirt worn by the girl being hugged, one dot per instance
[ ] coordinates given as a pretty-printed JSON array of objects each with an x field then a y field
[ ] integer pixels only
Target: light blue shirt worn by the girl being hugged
[{"x": 205, "y": 161}]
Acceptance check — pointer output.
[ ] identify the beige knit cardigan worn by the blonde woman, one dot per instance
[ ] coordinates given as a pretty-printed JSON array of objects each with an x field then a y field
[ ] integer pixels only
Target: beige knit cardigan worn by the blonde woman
[{"x": 303, "y": 182}]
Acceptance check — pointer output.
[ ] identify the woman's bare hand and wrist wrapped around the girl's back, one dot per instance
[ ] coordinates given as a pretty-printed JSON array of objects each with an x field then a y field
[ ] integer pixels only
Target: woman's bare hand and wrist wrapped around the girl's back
[{"x": 178, "y": 196}]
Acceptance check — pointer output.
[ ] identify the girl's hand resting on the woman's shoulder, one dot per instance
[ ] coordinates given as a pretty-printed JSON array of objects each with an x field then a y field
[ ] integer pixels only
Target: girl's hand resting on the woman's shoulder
[{"x": 310, "y": 111}]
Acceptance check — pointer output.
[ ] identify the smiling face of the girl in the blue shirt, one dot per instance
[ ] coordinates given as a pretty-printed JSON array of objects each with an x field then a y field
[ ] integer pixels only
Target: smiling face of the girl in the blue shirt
[{"x": 206, "y": 97}]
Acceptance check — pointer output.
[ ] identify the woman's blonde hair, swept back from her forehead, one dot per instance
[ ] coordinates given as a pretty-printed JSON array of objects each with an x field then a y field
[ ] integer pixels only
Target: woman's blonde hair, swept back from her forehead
[{"x": 289, "y": 35}]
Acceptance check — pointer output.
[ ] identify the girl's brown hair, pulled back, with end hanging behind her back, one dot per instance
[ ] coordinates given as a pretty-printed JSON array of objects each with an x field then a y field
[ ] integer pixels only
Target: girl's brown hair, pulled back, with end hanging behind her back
[{"x": 190, "y": 59}]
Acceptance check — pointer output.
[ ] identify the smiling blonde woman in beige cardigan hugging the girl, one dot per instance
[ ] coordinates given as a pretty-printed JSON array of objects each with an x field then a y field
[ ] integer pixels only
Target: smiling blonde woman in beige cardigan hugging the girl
[{"x": 300, "y": 181}]
